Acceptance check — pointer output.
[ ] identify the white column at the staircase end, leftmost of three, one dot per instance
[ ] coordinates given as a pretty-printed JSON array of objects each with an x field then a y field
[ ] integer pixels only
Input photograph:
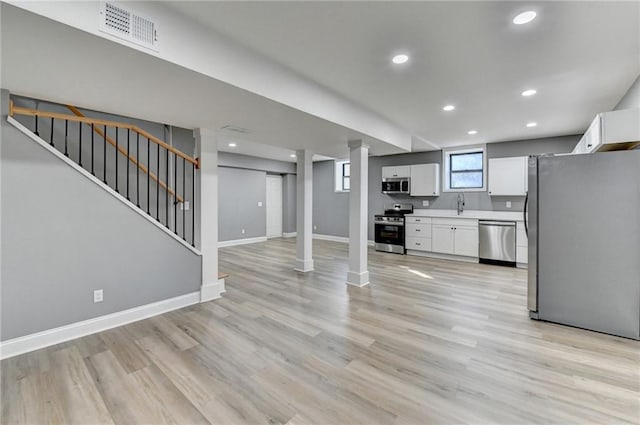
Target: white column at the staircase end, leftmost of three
[{"x": 207, "y": 151}]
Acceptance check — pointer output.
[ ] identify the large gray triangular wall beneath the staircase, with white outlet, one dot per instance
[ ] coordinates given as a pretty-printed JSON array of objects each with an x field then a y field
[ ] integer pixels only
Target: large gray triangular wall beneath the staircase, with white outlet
[{"x": 63, "y": 237}]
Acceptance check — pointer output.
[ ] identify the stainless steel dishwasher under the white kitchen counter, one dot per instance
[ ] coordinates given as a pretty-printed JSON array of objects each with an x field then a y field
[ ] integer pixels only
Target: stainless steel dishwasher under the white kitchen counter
[{"x": 497, "y": 242}]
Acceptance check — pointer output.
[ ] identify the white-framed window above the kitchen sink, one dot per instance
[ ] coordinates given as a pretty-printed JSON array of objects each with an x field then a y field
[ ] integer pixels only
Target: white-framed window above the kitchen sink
[{"x": 464, "y": 169}]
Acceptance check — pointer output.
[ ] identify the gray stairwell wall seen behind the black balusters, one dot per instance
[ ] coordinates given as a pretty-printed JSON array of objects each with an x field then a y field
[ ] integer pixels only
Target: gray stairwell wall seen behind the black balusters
[{"x": 182, "y": 139}]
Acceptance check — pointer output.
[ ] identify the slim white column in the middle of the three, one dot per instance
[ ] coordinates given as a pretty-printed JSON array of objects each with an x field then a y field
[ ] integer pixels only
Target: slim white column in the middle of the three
[{"x": 304, "y": 205}]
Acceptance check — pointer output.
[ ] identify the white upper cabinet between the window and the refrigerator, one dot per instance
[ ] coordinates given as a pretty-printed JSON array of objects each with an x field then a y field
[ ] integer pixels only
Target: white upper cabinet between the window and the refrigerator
[{"x": 508, "y": 176}]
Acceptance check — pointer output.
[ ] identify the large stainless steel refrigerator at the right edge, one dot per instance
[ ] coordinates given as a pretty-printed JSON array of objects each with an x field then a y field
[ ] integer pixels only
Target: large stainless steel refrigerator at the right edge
[{"x": 584, "y": 241}]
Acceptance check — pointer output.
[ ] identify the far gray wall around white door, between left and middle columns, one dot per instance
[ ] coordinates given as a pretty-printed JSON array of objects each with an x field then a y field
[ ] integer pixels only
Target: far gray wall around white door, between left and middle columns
[{"x": 241, "y": 185}]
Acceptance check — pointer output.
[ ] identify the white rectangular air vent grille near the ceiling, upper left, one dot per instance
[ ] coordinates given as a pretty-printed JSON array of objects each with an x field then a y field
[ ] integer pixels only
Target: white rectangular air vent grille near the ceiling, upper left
[{"x": 126, "y": 24}]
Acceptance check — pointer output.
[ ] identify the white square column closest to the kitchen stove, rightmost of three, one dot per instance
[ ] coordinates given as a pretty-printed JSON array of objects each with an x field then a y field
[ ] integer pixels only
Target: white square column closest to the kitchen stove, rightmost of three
[{"x": 358, "y": 274}]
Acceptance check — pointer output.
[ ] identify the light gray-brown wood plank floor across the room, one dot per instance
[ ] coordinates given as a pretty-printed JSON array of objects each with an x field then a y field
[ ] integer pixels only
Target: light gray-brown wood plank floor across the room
[{"x": 429, "y": 341}]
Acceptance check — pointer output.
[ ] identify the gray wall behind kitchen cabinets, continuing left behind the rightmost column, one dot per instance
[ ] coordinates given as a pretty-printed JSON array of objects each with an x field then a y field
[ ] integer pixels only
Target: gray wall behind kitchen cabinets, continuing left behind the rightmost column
[{"x": 331, "y": 209}]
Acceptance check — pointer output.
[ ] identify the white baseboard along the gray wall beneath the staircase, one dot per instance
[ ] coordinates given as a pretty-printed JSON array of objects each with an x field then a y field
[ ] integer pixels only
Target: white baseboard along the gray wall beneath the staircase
[{"x": 24, "y": 344}]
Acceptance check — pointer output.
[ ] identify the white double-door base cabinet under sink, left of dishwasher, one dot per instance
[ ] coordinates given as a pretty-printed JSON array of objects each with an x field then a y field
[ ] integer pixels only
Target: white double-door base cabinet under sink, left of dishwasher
[{"x": 455, "y": 236}]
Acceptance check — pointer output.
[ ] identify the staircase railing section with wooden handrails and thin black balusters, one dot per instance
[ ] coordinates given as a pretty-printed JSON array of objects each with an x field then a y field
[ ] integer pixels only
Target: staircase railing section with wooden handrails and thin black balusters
[{"x": 151, "y": 175}]
